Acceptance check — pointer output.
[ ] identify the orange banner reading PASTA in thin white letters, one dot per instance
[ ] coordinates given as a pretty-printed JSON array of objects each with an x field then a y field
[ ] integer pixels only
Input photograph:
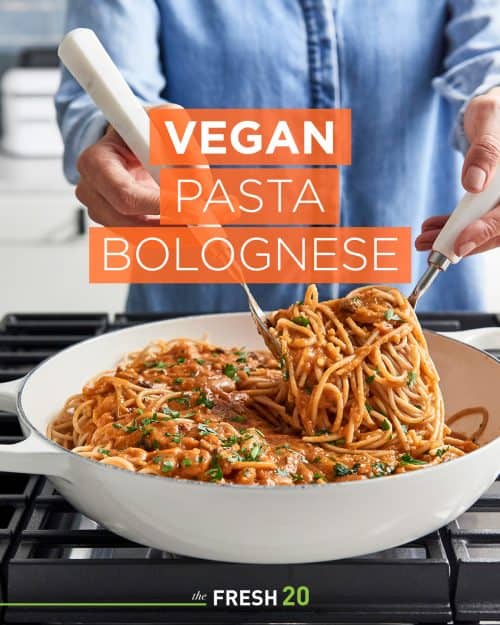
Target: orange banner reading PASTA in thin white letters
[{"x": 249, "y": 196}]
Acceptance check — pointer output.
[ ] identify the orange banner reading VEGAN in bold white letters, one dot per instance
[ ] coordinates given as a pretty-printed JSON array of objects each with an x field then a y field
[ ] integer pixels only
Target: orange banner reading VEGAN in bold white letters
[{"x": 250, "y": 136}]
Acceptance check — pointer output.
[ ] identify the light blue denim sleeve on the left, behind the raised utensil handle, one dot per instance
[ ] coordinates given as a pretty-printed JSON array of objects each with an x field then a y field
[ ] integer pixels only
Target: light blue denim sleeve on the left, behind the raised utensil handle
[{"x": 129, "y": 30}]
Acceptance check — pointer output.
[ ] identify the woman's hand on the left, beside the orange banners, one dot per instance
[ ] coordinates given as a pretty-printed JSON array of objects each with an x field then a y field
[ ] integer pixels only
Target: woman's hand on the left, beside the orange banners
[{"x": 114, "y": 186}]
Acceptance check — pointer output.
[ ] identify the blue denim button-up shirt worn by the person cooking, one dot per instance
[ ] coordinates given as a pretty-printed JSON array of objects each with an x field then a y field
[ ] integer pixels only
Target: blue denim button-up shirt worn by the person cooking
[{"x": 406, "y": 68}]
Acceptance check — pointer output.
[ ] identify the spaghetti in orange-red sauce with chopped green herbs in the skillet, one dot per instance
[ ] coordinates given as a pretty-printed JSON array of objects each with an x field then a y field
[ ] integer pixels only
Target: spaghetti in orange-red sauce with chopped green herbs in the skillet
[{"x": 356, "y": 396}]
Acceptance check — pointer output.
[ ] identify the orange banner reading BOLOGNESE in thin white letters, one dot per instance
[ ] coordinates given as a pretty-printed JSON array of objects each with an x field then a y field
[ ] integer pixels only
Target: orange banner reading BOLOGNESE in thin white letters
[{"x": 225, "y": 255}]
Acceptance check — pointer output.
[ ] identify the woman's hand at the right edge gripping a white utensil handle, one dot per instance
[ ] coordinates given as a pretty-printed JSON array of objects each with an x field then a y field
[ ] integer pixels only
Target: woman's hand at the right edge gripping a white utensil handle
[{"x": 482, "y": 128}]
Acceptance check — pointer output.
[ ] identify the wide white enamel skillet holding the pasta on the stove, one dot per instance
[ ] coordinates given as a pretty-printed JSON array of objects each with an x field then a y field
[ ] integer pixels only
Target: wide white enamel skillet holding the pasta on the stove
[{"x": 254, "y": 523}]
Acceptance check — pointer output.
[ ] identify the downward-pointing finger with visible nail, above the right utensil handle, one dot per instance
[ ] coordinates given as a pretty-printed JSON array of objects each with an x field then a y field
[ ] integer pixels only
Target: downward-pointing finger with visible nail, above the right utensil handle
[{"x": 482, "y": 125}]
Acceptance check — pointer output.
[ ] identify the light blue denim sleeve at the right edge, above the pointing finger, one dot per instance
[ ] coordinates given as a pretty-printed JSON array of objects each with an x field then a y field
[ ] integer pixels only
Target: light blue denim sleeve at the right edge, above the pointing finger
[{"x": 472, "y": 62}]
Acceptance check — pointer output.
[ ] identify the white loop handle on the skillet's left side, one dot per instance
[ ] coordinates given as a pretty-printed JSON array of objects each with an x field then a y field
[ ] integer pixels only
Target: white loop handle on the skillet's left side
[{"x": 33, "y": 454}]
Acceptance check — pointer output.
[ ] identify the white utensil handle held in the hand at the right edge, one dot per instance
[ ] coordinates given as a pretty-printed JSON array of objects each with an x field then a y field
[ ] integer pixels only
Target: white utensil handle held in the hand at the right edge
[{"x": 471, "y": 207}]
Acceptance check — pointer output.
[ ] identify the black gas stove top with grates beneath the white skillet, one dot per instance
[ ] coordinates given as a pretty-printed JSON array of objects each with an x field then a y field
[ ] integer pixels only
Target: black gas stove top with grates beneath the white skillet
[{"x": 50, "y": 553}]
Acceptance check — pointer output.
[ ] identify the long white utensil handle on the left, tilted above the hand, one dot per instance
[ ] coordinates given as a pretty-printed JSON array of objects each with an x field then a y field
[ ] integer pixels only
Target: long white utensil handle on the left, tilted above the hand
[{"x": 87, "y": 60}]
